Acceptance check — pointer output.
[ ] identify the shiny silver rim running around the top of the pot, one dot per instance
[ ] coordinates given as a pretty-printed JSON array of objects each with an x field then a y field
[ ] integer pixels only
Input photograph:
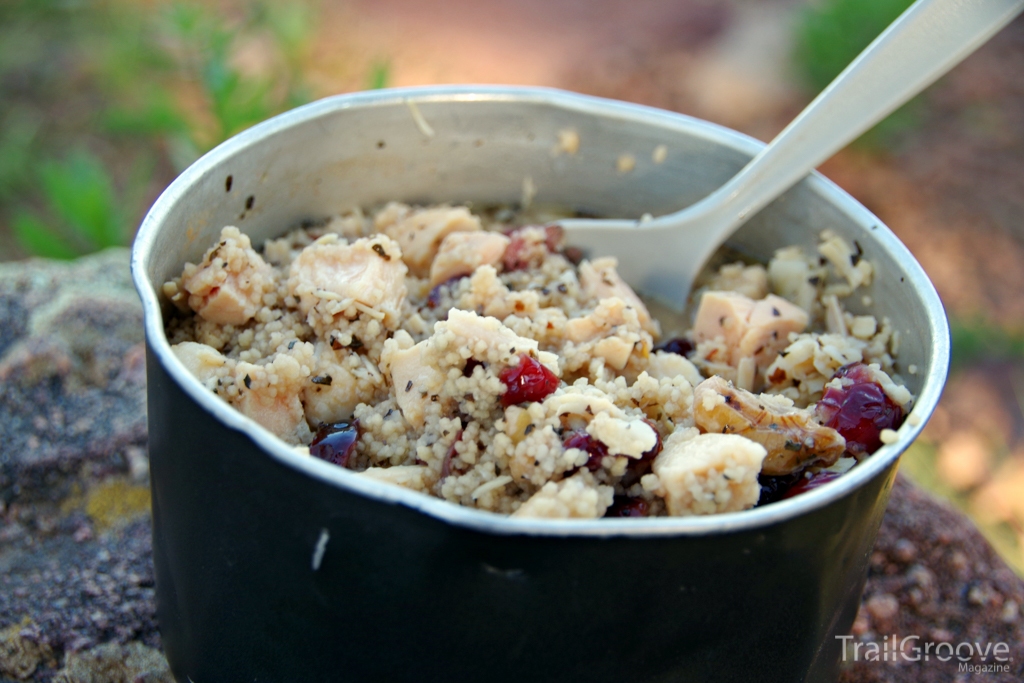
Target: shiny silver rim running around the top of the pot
[{"x": 489, "y": 523}]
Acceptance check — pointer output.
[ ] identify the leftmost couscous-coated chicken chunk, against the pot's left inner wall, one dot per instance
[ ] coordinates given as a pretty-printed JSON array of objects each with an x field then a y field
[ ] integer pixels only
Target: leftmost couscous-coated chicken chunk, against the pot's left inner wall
[{"x": 228, "y": 287}]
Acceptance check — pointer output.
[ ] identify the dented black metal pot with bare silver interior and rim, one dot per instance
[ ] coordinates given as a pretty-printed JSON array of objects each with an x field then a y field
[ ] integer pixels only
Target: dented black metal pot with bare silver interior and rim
[{"x": 273, "y": 567}]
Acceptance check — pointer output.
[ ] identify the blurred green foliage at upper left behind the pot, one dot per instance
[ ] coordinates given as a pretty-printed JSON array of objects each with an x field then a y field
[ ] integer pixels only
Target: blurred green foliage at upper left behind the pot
[{"x": 107, "y": 99}]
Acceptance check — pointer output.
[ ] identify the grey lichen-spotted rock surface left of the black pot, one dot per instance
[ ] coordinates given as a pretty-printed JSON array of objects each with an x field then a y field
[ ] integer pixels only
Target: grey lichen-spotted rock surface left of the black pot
[{"x": 76, "y": 570}]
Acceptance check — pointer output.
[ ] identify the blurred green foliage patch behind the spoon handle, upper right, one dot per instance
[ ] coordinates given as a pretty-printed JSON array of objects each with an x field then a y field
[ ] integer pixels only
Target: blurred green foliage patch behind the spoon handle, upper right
[{"x": 830, "y": 34}]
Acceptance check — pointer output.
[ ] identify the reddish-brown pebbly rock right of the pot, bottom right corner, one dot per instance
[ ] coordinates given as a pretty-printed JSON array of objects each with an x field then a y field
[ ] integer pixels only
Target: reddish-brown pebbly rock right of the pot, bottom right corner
[{"x": 934, "y": 576}]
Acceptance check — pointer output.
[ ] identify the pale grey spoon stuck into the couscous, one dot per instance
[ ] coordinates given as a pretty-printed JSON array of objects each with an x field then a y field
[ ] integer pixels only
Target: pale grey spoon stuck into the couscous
[{"x": 929, "y": 39}]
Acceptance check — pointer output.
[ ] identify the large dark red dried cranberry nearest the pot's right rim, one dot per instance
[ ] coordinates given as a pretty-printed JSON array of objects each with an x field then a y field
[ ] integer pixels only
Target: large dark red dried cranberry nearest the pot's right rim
[{"x": 860, "y": 411}]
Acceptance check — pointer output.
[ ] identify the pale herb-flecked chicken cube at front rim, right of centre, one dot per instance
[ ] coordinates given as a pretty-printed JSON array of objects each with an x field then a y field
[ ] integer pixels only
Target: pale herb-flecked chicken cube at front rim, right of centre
[{"x": 709, "y": 474}]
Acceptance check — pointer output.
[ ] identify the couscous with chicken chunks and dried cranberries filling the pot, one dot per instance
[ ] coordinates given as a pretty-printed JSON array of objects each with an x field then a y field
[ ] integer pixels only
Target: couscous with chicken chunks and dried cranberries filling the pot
[{"x": 477, "y": 359}]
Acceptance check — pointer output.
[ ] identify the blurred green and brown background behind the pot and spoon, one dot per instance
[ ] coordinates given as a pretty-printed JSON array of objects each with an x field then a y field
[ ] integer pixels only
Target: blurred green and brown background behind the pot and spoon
[{"x": 103, "y": 103}]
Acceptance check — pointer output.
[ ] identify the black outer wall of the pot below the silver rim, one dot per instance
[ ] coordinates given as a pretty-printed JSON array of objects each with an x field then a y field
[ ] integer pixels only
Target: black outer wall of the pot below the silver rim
[{"x": 402, "y": 596}]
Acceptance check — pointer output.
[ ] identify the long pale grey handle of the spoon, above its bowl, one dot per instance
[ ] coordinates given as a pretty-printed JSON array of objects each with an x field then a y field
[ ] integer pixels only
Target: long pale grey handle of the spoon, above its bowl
[{"x": 929, "y": 39}]
